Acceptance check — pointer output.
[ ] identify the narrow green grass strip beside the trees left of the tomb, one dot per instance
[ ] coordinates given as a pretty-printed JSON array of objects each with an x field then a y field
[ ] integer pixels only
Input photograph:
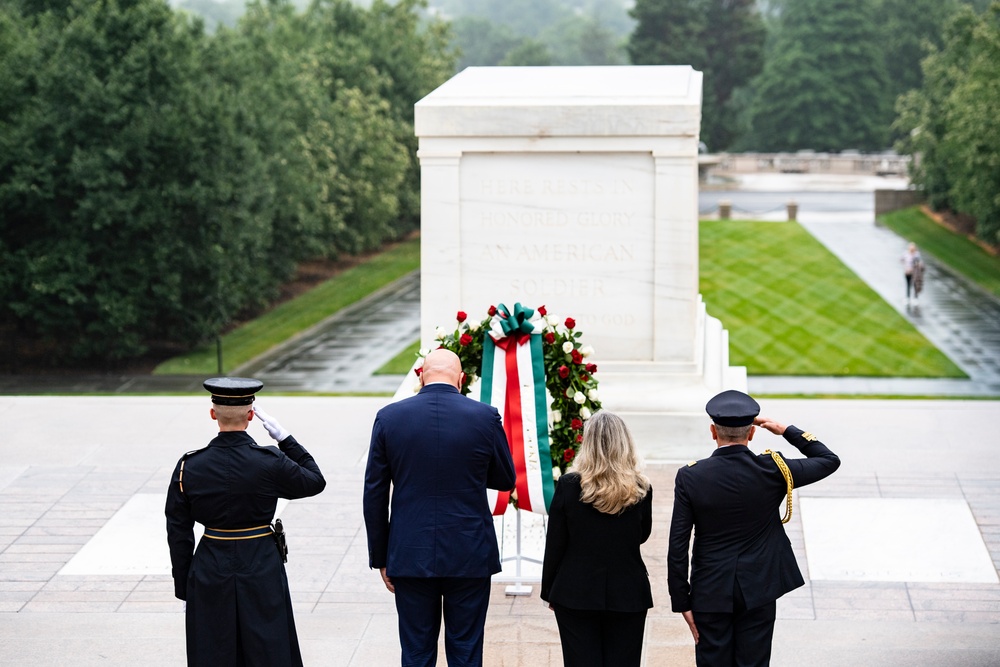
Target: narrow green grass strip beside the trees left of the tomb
[{"x": 258, "y": 336}]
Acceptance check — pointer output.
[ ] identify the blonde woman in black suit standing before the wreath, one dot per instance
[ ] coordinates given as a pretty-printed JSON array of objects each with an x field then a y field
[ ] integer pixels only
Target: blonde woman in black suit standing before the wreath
[{"x": 593, "y": 576}]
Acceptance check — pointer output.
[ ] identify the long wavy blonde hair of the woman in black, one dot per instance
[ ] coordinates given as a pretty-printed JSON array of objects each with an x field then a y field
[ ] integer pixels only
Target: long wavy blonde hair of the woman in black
[{"x": 610, "y": 472}]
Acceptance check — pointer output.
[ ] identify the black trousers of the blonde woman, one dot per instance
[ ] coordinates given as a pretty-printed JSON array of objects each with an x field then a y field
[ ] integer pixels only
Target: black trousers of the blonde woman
[{"x": 600, "y": 638}]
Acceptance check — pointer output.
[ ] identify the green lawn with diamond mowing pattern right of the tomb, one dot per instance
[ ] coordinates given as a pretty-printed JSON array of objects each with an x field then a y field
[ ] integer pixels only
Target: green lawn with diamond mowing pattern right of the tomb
[{"x": 792, "y": 308}]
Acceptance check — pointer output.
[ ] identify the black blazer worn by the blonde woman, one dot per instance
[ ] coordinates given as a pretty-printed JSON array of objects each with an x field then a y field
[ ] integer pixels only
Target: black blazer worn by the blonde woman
[{"x": 592, "y": 559}]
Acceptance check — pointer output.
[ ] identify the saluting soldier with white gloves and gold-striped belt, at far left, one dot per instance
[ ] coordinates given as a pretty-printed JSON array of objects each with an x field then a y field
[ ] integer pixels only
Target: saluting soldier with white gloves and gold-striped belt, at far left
[{"x": 238, "y": 611}]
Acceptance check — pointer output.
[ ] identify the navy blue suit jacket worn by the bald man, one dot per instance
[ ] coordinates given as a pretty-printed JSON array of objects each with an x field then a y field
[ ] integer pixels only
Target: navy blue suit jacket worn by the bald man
[{"x": 438, "y": 451}]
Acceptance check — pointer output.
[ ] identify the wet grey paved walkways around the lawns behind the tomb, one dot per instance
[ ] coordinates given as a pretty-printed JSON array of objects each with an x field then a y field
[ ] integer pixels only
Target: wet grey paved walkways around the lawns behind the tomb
[{"x": 341, "y": 354}]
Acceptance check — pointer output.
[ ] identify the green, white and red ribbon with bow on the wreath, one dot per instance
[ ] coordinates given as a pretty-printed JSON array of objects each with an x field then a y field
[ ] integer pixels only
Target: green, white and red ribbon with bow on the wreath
[{"x": 513, "y": 381}]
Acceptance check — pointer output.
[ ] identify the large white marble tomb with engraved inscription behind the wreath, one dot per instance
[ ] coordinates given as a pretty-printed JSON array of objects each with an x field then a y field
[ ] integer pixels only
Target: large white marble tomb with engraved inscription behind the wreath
[{"x": 576, "y": 188}]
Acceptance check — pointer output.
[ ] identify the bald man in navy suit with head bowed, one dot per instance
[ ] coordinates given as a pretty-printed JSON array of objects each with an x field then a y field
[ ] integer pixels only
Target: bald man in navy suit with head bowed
[{"x": 436, "y": 549}]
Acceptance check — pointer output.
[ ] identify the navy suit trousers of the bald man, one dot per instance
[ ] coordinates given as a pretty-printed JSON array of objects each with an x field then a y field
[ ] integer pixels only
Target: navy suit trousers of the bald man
[{"x": 419, "y": 604}]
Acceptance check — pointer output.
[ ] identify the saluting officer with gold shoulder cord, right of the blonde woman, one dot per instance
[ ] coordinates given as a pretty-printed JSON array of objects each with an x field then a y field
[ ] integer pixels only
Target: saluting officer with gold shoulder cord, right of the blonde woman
[{"x": 743, "y": 561}]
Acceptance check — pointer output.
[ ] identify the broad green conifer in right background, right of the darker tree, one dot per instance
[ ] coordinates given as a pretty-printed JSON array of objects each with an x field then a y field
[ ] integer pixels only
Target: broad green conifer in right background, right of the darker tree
[{"x": 823, "y": 85}]
